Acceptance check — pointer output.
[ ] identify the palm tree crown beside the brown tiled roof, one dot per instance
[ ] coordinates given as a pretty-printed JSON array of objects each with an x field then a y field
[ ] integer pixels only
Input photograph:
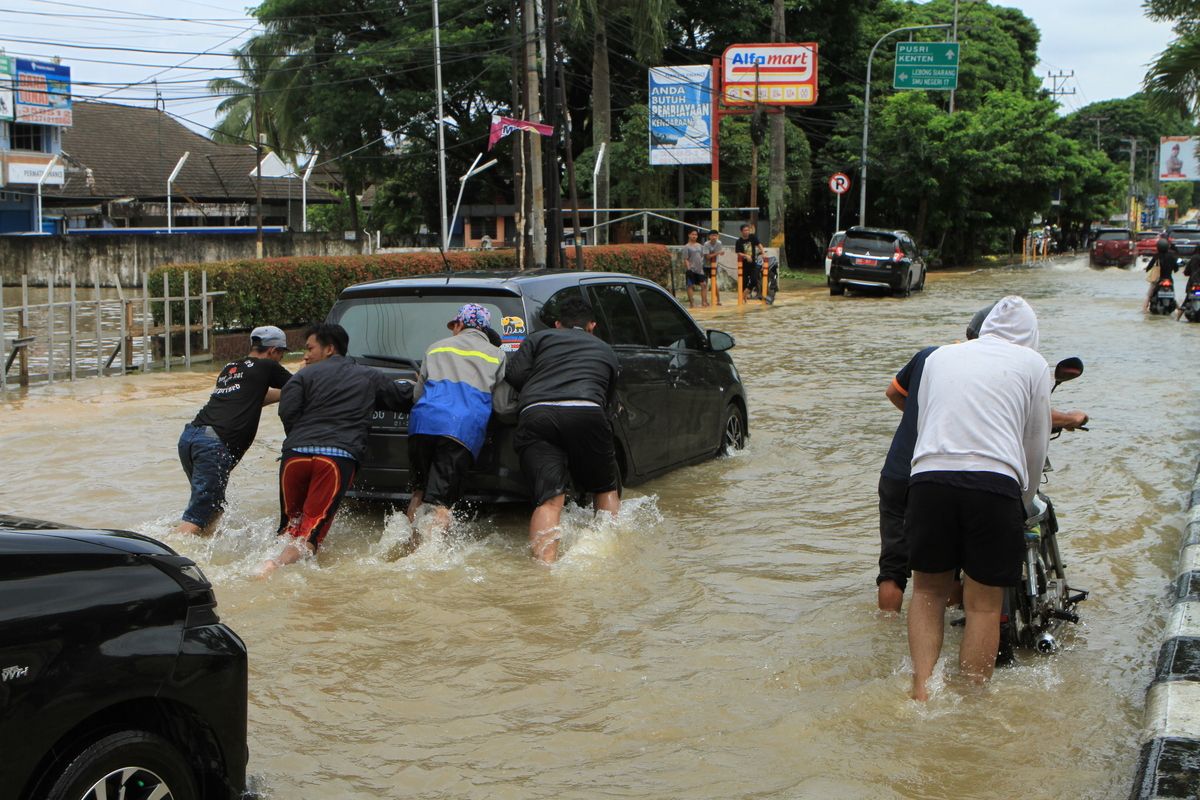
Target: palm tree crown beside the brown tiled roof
[{"x": 261, "y": 100}]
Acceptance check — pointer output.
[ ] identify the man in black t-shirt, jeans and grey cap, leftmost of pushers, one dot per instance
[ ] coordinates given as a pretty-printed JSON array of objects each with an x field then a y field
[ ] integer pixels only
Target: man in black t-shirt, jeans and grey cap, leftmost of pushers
[{"x": 214, "y": 443}]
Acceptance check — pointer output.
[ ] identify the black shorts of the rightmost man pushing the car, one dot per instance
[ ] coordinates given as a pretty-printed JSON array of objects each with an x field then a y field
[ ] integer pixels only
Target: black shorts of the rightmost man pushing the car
[{"x": 566, "y": 447}]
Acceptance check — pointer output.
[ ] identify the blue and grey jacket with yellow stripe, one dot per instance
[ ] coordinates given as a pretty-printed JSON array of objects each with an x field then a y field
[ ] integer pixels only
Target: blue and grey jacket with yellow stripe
[{"x": 454, "y": 393}]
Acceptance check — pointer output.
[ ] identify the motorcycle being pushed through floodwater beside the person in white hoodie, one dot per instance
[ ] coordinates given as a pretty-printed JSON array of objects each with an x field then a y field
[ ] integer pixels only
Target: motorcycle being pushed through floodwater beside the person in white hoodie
[{"x": 1036, "y": 609}]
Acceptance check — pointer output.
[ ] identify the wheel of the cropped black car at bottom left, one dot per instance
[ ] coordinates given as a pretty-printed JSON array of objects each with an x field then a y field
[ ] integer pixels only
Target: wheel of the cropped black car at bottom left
[{"x": 133, "y": 765}]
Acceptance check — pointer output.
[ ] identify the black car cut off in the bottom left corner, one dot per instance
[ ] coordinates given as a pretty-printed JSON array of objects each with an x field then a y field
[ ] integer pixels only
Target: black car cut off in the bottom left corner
[{"x": 117, "y": 678}]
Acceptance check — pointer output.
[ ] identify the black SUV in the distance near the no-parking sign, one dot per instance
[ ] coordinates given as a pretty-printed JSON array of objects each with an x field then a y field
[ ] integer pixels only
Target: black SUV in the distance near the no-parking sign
[{"x": 875, "y": 258}]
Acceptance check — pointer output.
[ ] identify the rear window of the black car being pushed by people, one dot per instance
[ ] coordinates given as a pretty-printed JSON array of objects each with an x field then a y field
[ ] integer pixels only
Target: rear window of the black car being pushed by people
[{"x": 406, "y": 326}]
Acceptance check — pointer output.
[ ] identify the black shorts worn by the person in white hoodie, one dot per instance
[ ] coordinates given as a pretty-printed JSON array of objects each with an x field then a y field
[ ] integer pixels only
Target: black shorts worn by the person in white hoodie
[{"x": 983, "y": 533}]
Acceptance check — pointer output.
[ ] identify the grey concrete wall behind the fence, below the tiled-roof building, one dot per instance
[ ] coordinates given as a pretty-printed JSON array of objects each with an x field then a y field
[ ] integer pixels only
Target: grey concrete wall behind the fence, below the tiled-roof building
[{"x": 127, "y": 257}]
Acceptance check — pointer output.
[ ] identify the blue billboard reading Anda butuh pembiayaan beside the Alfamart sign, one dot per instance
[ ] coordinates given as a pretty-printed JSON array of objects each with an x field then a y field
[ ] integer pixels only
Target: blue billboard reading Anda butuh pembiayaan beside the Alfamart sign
[{"x": 681, "y": 116}]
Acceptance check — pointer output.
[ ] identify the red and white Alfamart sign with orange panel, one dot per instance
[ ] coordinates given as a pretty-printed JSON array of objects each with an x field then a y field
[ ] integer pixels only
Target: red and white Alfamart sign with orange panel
[{"x": 779, "y": 75}]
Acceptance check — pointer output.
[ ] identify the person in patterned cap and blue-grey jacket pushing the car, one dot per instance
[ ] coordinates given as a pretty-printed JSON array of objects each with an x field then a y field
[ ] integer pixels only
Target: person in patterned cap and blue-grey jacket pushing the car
[{"x": 453, "y": 406}]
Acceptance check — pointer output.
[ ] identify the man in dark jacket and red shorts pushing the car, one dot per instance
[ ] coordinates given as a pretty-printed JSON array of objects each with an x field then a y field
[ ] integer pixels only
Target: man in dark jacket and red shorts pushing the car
[{"x": 327, "y": 414}]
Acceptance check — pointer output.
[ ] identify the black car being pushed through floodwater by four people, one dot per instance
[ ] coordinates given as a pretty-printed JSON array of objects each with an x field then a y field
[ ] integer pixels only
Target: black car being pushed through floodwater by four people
[{"x": 681, "y": 398}]
